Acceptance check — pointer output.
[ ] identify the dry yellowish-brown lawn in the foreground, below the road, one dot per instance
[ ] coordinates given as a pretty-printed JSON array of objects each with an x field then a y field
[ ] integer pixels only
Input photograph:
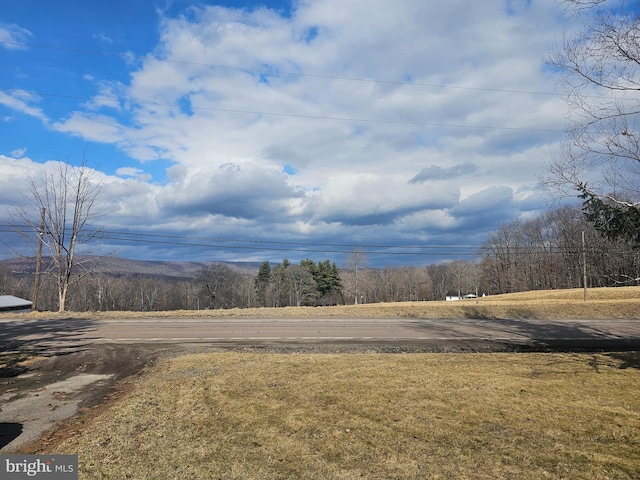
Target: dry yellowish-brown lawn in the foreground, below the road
[{"x": 371, "y": 416}]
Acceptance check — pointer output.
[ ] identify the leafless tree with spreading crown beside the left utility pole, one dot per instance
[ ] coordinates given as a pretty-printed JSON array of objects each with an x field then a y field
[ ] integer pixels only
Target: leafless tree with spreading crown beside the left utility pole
[{"x": 56, "y": 214}]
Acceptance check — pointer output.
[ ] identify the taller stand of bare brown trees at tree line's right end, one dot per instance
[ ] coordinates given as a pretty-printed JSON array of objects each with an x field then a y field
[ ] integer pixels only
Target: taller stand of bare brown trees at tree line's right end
[{"x": 548, "y": 252}]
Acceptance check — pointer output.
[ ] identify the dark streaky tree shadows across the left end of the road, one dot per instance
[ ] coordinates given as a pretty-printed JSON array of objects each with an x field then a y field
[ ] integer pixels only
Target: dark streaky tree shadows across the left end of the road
[{"x": 23, "y": 339}]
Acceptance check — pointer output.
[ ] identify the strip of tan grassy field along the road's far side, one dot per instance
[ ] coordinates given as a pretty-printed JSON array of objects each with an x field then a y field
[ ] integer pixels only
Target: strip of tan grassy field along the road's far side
[{"x": 621, "y": 302}]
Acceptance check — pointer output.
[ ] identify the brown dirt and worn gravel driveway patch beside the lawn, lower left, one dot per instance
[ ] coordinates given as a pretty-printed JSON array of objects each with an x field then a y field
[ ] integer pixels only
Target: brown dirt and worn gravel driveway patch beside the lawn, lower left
[{"x": 43, "y": 398}]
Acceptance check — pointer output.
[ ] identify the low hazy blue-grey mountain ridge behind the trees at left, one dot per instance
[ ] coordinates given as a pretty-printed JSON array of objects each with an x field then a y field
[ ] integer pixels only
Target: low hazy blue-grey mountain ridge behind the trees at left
[{"x": 126, "y": 266}]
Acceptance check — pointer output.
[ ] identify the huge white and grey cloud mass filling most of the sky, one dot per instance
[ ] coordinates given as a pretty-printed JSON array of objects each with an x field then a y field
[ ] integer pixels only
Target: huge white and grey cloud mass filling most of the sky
[{"x": 438, "y": 141}]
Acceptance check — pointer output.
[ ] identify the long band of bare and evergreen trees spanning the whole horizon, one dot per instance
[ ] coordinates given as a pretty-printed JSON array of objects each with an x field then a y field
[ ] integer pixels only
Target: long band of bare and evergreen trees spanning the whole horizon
[{"x": 546, "y": 252}]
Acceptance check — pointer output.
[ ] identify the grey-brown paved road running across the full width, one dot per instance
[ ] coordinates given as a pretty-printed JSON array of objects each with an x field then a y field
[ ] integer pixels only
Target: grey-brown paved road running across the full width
[{"x": 432, "y": 334}]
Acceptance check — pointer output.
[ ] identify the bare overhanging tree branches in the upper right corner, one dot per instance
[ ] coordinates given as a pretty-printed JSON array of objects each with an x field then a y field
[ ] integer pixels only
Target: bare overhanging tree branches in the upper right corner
[{"x": 601, "y": 75}]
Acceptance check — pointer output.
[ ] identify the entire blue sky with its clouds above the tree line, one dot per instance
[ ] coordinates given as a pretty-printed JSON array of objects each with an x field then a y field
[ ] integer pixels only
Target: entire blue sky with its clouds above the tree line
[{"x": 287, "y": 125}]
